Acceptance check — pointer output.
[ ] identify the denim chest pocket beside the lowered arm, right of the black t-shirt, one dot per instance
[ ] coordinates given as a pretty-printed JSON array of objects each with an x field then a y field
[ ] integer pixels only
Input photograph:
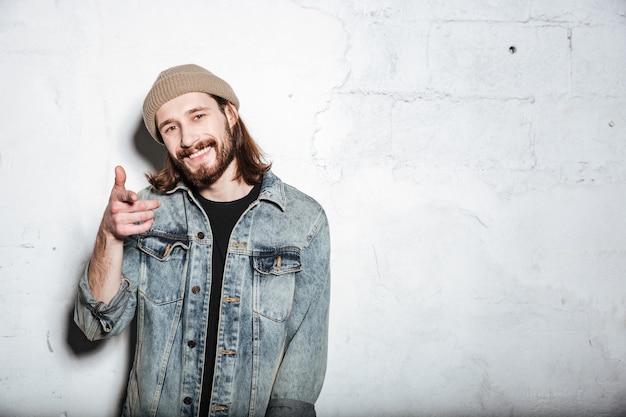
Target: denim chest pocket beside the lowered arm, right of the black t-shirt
[{"x": 274, "y": 282}]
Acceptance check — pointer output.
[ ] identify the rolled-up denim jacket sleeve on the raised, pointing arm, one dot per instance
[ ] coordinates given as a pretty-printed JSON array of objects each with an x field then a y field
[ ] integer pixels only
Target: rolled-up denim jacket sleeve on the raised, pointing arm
[{"x": 98, "y": 320}]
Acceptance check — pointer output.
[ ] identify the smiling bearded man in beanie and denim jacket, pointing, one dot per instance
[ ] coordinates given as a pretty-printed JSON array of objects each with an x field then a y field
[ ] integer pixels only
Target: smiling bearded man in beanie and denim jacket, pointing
[{"x": 225, "y": 267}]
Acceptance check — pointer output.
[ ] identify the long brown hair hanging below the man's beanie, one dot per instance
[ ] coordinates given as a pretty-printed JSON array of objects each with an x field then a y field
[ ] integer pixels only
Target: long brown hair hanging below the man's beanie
[{"x": 251, "y": 164}]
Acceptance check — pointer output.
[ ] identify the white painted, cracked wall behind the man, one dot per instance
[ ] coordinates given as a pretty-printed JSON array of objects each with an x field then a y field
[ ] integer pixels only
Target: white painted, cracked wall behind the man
[{"x": 471, "y": 156}]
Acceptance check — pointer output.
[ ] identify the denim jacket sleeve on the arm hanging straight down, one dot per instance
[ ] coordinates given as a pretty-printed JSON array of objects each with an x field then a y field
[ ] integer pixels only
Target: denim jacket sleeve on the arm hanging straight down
[{"x": 301, "y": 374}]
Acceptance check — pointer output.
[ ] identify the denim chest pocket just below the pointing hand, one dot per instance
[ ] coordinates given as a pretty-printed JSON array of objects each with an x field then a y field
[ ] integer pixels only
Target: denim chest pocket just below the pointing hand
[{"x": 164, "y": 265}]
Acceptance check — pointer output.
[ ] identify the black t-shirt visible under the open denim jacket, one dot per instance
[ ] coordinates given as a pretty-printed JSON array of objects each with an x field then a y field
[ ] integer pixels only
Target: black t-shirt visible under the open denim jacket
[{"x": 223, "y": 216}]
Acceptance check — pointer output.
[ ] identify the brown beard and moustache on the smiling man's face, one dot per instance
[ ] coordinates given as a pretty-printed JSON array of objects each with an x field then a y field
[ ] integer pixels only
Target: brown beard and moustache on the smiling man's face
[{"x": 206, "y": 175}]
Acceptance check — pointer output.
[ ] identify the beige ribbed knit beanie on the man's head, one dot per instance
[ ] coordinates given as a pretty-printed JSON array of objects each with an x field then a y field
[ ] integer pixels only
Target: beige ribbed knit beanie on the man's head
[{"x": 176, "y": 81}]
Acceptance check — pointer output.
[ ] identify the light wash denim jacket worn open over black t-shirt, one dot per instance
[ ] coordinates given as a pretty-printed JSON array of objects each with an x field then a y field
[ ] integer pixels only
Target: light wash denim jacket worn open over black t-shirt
[{"x": 272, "y": 337}]
